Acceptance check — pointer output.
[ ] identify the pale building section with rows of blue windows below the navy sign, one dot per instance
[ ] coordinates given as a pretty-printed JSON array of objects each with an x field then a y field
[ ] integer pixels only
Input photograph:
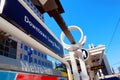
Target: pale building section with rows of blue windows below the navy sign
[{"x": 31, "y": 55}]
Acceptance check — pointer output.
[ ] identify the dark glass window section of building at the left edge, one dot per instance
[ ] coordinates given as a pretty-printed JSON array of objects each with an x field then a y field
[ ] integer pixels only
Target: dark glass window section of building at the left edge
[{"x": 8, "y": 48}]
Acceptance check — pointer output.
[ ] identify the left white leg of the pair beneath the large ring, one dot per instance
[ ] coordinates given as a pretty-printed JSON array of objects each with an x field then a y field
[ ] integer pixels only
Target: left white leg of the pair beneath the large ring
[{"x": 74, "y": 66}]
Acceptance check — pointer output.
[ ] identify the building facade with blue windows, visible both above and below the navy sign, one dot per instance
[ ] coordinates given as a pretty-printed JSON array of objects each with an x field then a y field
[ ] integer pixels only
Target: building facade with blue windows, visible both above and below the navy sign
[{"x": 14, "y": 48}]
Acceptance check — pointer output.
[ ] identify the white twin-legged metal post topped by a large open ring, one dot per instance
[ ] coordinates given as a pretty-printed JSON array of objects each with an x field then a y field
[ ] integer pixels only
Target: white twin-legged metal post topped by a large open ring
[{"x": 76, "y": 50}]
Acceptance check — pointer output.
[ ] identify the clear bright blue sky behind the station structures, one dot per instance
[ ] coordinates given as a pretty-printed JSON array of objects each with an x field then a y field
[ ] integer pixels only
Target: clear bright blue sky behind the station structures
[{"x": 99, "y": 20}]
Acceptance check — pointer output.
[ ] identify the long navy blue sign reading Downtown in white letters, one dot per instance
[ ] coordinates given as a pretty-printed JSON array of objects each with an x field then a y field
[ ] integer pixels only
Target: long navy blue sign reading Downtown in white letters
[{"x": 15, "y": 13}]
